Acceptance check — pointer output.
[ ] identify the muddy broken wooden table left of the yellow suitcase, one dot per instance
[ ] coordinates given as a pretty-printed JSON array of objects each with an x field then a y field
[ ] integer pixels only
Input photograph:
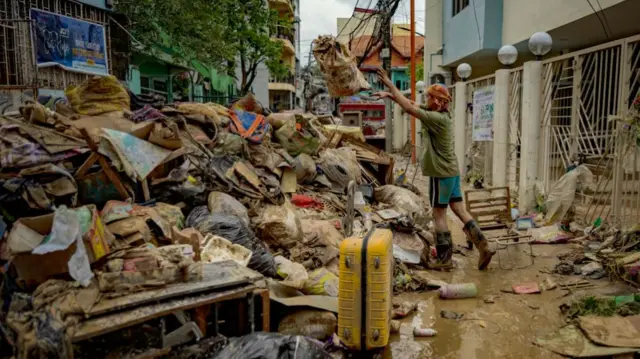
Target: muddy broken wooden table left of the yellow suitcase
[{"x": 193, "y": 304}]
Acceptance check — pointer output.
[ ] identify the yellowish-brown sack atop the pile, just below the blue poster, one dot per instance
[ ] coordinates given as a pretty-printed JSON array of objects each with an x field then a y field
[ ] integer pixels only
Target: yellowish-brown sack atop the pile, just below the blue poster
[{"x": 98, "y": 95}]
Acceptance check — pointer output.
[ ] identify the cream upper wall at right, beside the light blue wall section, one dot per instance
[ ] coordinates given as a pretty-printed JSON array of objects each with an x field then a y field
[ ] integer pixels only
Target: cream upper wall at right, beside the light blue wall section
[{"x": 522, "y": 18}]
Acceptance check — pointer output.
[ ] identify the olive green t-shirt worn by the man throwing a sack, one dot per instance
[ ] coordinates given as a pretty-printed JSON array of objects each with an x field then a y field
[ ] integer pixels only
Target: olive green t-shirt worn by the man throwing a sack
[{"x": 438, "y": 154}]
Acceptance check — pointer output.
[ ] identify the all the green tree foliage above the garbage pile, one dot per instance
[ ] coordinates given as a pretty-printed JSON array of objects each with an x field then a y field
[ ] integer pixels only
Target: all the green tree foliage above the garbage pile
[{"x": 220, "y": 33}]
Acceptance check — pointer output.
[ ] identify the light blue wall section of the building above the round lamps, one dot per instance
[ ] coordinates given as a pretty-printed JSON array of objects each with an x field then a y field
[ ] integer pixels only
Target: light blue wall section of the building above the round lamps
[{"x": 476, "y": 27}]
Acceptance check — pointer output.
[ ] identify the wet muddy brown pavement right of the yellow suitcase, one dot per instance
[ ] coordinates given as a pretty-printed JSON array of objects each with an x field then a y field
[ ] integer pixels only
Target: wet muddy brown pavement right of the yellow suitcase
[{"x": 503, "y": 329}]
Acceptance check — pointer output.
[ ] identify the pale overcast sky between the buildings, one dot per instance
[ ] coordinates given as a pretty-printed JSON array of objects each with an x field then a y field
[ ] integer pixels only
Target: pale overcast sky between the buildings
[{"x": 319, "y": 17}]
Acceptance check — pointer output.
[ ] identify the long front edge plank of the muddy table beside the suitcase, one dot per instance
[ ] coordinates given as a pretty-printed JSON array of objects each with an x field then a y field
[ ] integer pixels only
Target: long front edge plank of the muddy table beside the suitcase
[{"x": 111, "y": 323}]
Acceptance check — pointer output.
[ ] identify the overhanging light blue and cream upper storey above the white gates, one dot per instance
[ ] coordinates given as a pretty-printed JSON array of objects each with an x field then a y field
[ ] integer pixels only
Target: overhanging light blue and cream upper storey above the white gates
[{"x": 473, "y": 31}]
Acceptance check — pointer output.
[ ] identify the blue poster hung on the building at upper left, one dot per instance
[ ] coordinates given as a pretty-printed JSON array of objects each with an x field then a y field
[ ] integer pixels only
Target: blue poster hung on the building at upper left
[{"x": 72, "y": 44}]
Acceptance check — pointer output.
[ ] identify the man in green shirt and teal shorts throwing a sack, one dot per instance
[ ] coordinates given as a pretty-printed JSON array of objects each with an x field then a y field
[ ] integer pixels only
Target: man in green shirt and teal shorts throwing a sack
[{"x": 439, "y": 162}]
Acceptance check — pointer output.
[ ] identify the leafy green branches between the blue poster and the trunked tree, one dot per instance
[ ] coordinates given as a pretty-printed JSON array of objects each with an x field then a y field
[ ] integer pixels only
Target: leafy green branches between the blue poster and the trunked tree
[{"x": 194, "y": 28}]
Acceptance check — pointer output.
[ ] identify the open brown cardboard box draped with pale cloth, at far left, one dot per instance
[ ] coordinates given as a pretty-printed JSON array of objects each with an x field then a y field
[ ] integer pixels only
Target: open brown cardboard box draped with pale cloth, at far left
[{"x": 28, "y": 234}]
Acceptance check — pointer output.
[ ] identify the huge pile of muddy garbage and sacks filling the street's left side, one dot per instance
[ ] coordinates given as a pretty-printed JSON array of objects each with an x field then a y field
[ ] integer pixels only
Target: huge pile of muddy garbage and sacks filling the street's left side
[{"x": 108, "y": 194}]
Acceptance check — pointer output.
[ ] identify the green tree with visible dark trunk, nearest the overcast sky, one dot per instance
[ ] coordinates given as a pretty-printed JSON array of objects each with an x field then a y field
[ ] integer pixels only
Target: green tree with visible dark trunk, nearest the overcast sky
[{"x": 250, "y": 26}]
